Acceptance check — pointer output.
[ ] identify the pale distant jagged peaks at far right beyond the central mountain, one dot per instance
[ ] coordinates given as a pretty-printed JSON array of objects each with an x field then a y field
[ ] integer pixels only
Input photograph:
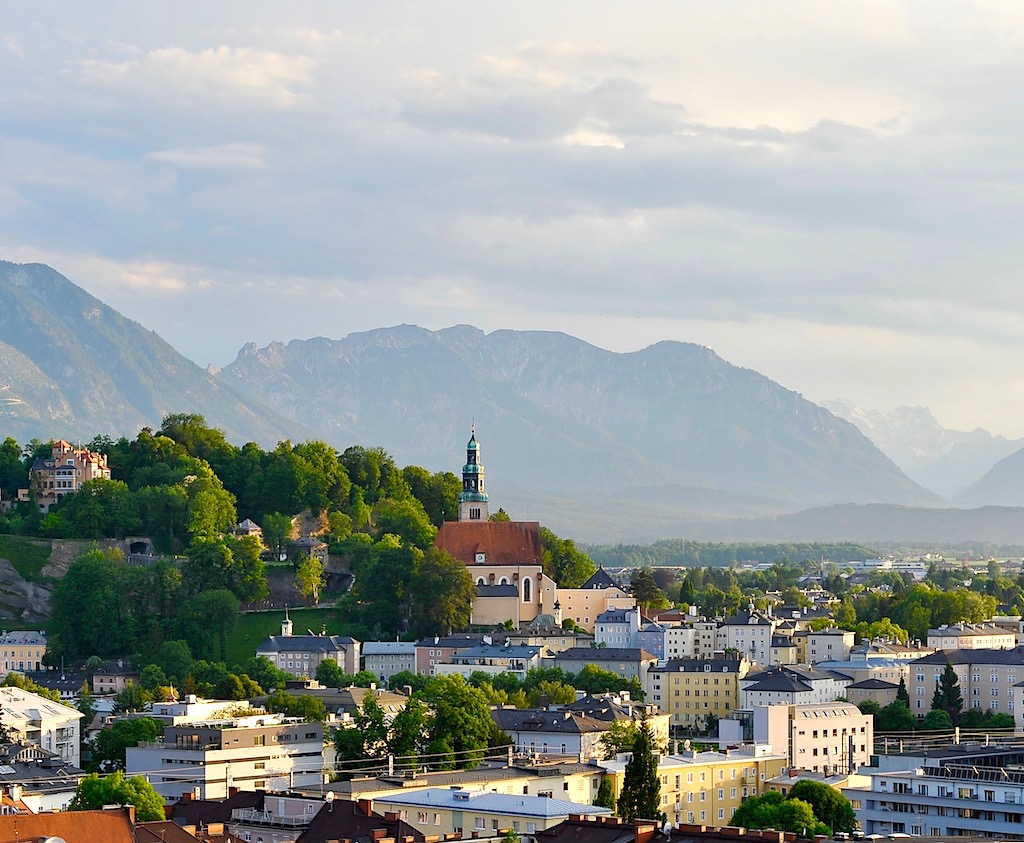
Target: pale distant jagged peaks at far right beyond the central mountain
[{"x": 944, "y": 460}]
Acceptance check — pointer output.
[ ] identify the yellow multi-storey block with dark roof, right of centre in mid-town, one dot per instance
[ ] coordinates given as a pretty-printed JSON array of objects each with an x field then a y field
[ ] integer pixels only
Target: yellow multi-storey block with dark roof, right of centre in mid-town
[{"x": 691, "y": 690}]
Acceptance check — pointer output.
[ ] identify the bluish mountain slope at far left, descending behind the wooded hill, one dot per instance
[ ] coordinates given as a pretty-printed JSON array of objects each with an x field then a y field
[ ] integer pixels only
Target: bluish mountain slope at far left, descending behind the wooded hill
[{"x": 74, "y": 367}]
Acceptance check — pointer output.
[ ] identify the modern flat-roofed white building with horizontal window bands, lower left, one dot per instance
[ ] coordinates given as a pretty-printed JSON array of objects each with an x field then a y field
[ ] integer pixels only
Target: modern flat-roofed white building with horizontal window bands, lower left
[{"x": 266, "y": 752}]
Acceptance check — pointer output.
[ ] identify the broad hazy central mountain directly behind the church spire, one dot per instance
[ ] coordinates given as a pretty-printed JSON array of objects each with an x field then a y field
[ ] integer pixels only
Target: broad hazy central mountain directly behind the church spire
[{"x": 559, "y": 413}]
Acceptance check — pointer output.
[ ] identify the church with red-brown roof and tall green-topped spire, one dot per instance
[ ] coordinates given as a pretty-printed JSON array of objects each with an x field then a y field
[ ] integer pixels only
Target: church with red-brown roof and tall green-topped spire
[{"x": 504, "y": 558}]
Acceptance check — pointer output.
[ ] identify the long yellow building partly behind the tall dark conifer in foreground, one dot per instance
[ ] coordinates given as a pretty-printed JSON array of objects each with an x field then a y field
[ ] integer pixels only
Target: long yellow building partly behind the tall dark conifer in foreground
[{"x": 707, "y": 787}]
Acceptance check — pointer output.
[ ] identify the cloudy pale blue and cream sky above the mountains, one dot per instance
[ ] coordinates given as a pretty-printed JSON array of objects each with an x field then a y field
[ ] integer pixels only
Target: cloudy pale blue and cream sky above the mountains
[{"x": 831, "y": 194}]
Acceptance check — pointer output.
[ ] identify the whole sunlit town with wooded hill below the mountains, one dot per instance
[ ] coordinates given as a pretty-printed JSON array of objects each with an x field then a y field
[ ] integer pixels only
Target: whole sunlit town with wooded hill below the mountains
[{"x": 304, "y": 647}]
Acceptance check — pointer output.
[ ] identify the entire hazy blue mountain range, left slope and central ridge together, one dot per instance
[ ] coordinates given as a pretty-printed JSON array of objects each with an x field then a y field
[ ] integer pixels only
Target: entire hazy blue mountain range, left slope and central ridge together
[{"x": 599, "y": 445}]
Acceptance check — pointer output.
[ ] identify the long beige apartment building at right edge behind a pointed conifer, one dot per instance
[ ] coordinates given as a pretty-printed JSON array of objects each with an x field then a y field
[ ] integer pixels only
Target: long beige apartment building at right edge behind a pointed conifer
[{"x": 988, "y": 679}]
